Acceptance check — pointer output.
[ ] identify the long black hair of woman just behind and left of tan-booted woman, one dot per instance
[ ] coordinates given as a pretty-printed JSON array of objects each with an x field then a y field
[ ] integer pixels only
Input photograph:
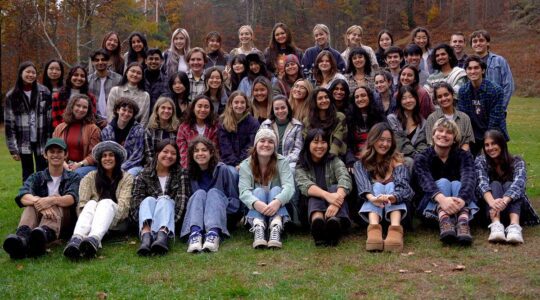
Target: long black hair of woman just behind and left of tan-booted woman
[{"x": 374, "y": 113}]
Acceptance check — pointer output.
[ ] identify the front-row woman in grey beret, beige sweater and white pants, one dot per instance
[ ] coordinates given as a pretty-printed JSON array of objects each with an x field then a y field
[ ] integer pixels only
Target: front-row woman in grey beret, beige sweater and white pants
[{"x": 104, "y": 198}]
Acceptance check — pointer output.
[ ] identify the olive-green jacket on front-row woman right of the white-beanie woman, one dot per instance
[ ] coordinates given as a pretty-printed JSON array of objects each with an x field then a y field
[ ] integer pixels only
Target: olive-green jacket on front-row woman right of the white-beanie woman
[{"x": 335, "y": 174}]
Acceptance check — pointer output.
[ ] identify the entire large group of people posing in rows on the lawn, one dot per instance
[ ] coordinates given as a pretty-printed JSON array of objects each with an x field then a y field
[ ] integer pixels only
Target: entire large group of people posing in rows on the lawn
[{"x": 194, "y": 140}]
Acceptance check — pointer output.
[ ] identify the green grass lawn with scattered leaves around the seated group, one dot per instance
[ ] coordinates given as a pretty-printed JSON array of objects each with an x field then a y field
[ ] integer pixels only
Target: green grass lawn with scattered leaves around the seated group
[{"x": 425, "y": 269}]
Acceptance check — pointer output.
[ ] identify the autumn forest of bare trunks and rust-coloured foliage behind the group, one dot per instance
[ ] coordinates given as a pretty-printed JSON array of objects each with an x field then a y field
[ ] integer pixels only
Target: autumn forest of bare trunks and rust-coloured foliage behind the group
[{"x": 40, "y": 30}]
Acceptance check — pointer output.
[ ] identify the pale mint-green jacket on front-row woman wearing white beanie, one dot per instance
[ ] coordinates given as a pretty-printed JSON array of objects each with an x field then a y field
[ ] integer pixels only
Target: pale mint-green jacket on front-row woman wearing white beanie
[{"x": 284, "y": 178}]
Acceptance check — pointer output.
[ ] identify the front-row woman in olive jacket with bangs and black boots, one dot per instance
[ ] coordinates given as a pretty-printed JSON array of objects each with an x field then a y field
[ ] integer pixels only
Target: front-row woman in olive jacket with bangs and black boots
[{"x": 324, "y": 183}]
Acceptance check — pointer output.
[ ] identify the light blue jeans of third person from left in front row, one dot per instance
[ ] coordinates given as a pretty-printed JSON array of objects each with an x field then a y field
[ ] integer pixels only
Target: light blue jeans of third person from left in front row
[{"x": 158, "y": 213}]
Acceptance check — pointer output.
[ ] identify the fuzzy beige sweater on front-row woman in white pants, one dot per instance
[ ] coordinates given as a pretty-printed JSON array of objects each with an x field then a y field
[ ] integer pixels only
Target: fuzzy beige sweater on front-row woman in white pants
[{"x": 87, "y": 192}]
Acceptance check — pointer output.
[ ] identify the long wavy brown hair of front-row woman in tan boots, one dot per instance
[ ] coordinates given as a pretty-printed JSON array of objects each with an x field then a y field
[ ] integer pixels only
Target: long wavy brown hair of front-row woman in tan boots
[{"x": 375, "y": 165}]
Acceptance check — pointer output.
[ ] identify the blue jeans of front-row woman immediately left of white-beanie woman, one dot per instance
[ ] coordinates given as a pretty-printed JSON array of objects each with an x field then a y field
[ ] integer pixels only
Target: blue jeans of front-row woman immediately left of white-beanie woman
[{"x": 207, "y": 210}]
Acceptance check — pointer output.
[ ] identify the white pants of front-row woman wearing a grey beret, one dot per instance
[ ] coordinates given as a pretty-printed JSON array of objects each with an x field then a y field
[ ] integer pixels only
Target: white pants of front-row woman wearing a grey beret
[{"x": 96, "y": 218}]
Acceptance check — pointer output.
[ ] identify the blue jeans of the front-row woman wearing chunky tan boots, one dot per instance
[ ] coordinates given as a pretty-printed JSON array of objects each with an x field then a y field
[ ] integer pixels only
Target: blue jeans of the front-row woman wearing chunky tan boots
[{"x": 368, "y": 207}]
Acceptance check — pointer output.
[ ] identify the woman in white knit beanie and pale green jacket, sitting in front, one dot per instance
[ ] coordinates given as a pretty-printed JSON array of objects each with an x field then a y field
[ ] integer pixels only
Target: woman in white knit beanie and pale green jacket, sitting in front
[{"x": 266, "y": 184}]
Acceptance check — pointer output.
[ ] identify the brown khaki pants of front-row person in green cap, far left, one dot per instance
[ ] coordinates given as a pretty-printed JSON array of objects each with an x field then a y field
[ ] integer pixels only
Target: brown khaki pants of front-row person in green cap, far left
[{"x": 32, "y": 218}]
